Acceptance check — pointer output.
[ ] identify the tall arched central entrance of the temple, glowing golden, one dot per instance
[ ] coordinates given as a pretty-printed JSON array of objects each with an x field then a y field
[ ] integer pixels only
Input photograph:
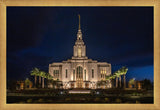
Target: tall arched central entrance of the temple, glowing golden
[{"x": 79, "y": 77}]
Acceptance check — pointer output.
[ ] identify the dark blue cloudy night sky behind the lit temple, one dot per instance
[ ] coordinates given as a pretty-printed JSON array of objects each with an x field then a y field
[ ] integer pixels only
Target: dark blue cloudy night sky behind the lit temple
[{"x": 38, "y": 36}]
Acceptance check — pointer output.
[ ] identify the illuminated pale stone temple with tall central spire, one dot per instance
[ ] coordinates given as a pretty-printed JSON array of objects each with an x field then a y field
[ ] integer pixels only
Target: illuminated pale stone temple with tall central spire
[{"x": 79, "y": 71}]
